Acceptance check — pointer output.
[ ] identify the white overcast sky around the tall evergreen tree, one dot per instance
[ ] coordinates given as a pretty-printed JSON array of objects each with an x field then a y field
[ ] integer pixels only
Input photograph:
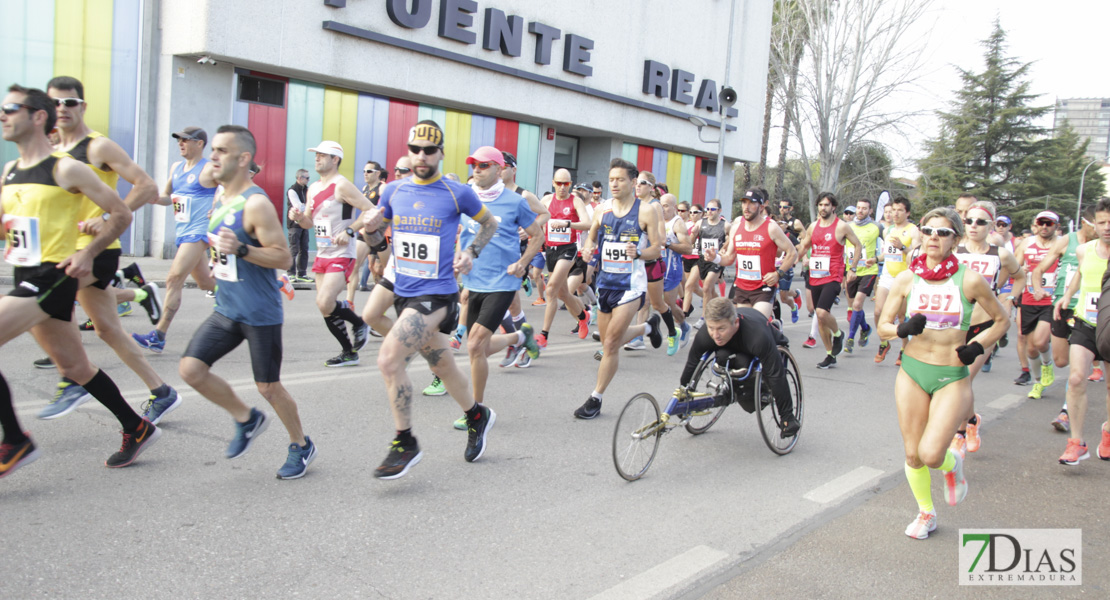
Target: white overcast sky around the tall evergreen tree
[{"x": 1067, "y": 42}]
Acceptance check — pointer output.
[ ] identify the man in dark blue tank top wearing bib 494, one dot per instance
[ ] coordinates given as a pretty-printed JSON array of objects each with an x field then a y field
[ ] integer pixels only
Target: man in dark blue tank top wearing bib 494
[{"x": 627, "y": 237}]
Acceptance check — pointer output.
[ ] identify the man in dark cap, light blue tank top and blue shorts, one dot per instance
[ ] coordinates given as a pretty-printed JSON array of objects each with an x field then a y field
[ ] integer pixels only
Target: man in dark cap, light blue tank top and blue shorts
[{"x": 190, "y": 191}]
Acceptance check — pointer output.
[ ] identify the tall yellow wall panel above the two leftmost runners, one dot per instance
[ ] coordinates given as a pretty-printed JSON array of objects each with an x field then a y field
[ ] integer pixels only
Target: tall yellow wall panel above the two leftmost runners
[{"x": 84, "y": 50}]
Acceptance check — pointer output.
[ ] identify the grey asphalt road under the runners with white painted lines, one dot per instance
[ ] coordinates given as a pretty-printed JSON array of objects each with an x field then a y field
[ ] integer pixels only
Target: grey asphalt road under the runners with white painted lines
[{"x": 542, "y": 515}]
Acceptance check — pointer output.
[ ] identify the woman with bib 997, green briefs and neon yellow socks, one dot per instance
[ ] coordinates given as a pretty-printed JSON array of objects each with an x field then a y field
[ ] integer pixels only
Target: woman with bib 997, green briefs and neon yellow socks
[{"x": 933, "y": 391}]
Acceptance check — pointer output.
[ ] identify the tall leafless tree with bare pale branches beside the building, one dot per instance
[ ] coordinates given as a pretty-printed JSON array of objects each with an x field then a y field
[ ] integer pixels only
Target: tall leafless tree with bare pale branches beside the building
[{"x": 856, "y": 57}]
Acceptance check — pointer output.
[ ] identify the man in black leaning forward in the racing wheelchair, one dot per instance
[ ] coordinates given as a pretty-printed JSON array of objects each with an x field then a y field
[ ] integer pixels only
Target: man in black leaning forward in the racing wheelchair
[{"x": 745, "y": 331}]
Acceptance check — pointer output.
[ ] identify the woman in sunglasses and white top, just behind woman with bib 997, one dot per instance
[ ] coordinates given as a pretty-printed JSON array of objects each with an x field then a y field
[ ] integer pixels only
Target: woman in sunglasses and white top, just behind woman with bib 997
[{"x": 996, "y": 265}]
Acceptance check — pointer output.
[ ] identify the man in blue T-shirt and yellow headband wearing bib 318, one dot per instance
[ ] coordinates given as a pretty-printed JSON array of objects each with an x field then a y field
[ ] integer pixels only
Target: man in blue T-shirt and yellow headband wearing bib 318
[{"x": 425, "y": 213}]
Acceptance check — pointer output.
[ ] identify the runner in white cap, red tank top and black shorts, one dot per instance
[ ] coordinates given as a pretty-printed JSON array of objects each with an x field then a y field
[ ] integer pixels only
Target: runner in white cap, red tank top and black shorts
[{"x": 1037, "y": 297}]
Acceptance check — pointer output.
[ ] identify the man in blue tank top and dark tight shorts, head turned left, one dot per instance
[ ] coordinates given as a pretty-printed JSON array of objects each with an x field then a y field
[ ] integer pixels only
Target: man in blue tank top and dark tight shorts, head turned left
[{"x": 248, "y": 245}]
